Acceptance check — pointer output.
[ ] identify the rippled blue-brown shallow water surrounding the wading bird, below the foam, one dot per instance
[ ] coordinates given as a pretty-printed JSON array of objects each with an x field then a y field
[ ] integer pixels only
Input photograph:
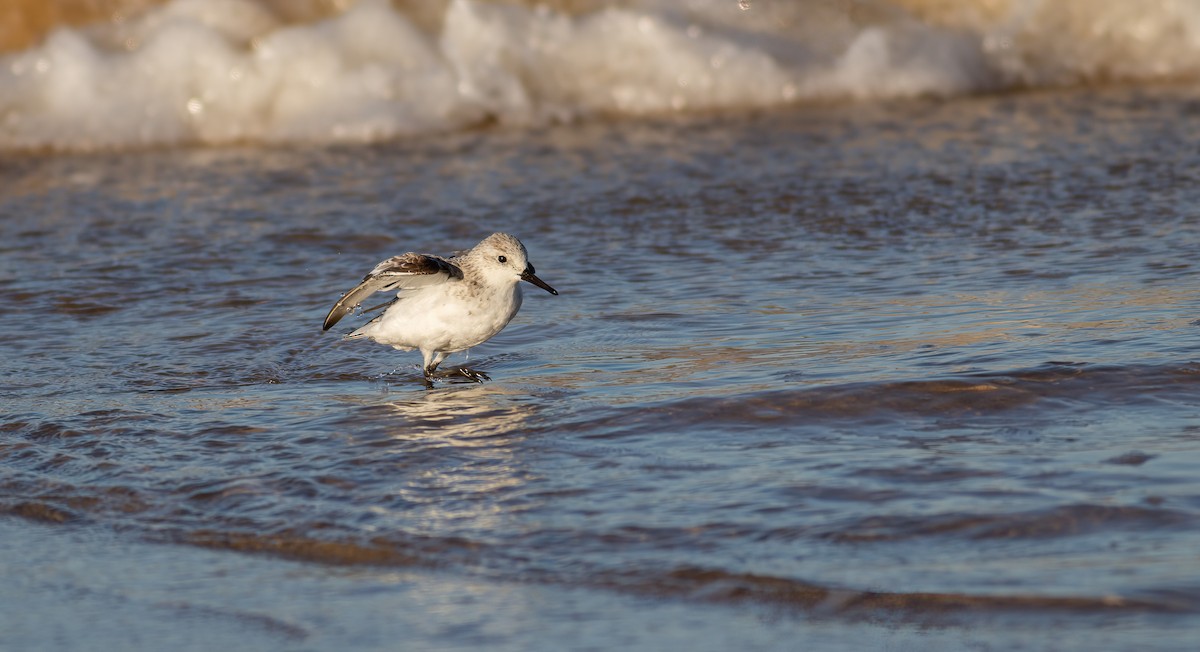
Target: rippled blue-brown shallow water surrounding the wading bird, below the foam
[{"x": 843, "y": 373}]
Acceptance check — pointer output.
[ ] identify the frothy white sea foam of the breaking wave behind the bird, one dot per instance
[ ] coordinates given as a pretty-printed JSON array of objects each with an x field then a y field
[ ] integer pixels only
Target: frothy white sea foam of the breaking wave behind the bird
[{"x": 227, "y": 71}]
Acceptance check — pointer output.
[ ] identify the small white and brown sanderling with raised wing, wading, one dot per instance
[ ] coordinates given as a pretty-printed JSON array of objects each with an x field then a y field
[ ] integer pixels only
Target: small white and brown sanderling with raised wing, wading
[{"x": 445, "y": 306}]
